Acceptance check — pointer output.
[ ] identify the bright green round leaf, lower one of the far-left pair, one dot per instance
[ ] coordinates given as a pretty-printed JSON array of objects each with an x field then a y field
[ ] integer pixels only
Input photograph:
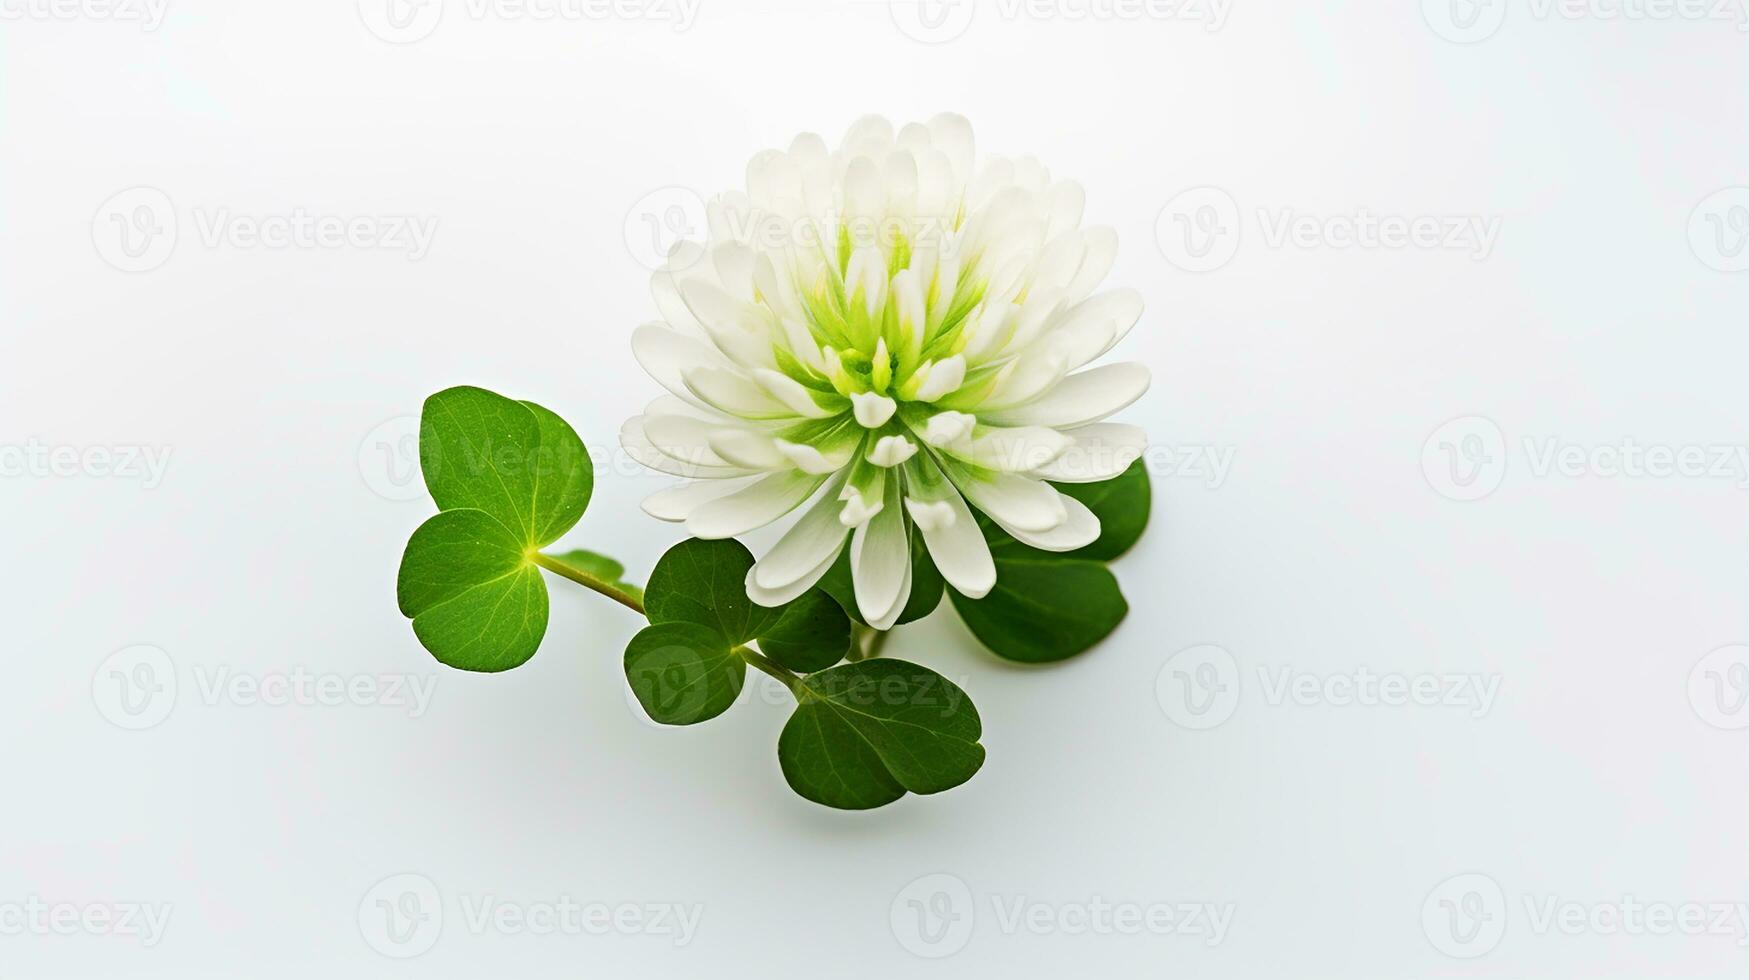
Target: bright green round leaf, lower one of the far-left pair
[{"x": 471, "y": 594}]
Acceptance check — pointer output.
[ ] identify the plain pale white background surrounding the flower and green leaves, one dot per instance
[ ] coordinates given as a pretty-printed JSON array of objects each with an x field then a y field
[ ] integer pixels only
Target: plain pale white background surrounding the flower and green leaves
[{"x": 281, "y": 381}]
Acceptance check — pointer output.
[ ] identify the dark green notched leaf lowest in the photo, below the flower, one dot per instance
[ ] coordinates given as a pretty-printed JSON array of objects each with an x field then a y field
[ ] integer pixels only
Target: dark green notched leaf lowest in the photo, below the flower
[{"x": 868, "y": 732}]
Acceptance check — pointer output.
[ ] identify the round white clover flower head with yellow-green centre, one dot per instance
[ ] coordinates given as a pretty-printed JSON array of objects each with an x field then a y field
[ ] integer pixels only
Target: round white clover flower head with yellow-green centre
[{"x": 891, "y": 330}]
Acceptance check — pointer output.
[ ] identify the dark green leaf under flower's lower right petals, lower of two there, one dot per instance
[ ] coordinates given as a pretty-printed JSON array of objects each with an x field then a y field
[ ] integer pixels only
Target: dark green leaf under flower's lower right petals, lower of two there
[{"x": 1043, "y": 606}]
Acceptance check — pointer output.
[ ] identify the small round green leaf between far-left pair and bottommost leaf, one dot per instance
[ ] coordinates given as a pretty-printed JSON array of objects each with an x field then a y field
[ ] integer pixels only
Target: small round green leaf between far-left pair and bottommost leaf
[{"x": 683, "y": 673}]
